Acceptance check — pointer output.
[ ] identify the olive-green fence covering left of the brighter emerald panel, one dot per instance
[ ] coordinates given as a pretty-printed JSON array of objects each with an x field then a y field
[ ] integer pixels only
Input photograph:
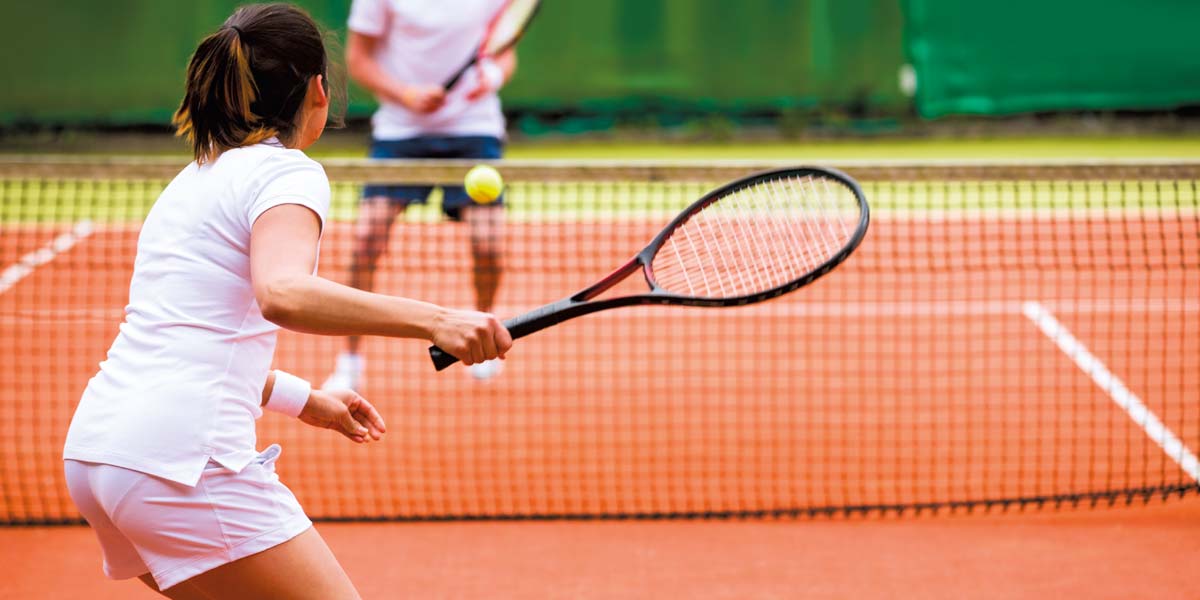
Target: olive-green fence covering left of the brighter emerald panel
[{"x": 123, "y": 62}]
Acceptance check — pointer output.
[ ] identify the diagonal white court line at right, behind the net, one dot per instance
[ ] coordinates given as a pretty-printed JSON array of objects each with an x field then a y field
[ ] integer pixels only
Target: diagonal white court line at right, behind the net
[{"x": 1117, "y": 389}]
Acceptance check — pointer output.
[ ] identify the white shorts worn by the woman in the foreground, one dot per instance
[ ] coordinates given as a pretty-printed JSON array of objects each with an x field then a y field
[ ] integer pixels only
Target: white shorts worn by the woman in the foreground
[{"x": 177, "y": 532}]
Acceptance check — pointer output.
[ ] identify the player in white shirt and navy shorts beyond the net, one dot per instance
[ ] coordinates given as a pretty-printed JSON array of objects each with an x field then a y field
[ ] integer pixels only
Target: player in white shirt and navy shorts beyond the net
[{"x": 404, "y": 52}]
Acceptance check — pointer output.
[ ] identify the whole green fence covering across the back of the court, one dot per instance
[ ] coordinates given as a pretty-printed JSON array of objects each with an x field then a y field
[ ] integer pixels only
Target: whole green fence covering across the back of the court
[{"x": 123, "y": 62}]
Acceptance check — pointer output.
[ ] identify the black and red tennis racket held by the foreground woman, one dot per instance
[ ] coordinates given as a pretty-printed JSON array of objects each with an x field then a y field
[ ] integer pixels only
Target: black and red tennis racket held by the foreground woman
[{"x": 747, "y": 242}]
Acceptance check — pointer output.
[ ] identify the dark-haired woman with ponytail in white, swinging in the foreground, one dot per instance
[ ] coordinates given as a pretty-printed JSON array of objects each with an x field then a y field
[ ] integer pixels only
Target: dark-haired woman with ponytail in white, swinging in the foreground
[{"x": 161, "y": 455}]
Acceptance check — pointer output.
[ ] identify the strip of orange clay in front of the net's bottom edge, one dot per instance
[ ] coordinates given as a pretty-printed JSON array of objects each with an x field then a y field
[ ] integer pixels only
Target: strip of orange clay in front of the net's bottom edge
[{"x": 1106, "y": 554}]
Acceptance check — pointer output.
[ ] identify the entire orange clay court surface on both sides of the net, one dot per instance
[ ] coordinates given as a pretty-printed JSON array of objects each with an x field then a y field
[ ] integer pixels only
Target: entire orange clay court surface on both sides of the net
[{"x": 1144, "y": 551}]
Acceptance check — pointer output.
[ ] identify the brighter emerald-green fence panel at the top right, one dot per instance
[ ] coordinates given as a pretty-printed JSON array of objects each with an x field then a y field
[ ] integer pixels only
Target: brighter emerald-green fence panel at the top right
[{"x": 1027, "y": 56}]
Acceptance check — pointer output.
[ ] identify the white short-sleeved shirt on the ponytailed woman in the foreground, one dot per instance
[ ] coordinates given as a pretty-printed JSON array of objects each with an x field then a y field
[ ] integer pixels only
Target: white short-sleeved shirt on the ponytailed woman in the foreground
[{"x": 184, "y": 380}]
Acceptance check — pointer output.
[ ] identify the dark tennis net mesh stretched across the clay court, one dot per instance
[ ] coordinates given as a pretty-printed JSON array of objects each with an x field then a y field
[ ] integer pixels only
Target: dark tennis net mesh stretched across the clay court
[{"x": 1005, "y": 337}]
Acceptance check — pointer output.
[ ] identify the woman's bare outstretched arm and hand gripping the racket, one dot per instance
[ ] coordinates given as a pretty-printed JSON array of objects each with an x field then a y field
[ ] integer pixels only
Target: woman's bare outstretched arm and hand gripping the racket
[{"x": 284, "y": 253}]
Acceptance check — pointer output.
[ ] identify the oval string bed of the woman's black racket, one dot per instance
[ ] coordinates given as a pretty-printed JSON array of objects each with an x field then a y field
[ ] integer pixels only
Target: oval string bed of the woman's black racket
[{"x": 758, "y": 238}]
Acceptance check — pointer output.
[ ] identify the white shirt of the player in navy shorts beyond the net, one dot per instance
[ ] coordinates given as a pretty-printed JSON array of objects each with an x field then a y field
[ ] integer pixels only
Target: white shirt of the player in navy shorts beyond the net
[{"x": 427, "y": 43}]
